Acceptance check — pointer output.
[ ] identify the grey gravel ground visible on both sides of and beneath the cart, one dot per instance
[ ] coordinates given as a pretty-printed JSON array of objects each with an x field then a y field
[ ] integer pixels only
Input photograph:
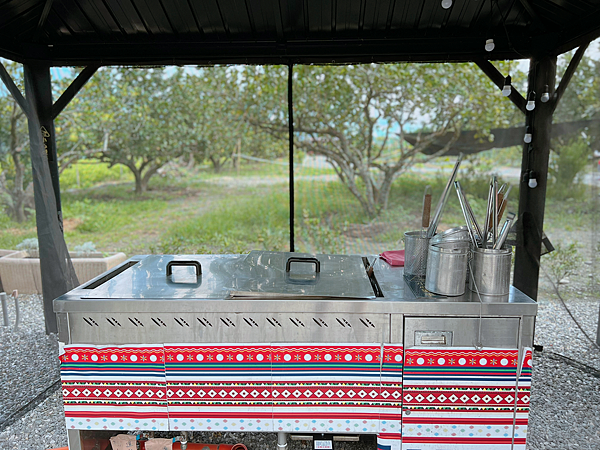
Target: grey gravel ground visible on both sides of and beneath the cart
[{"x": 565, "y": 399}]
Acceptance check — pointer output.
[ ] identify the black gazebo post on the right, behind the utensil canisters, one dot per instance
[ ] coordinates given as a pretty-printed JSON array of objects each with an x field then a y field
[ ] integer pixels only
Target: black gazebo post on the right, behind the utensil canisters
[{"x": 542, "y": 72}]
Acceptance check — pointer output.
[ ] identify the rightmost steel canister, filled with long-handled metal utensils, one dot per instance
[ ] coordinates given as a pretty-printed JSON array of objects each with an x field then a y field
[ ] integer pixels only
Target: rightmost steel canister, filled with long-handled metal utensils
[{"x": 491, "y": 273}]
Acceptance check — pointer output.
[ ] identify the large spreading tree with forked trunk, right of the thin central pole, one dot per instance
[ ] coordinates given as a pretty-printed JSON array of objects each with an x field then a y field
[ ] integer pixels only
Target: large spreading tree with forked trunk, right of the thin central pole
[{"x": 356, "y": 116}]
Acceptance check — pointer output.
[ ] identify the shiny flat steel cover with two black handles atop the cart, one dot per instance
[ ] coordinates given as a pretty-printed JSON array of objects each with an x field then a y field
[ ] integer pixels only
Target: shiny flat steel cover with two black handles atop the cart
[{"x": 260, "y": 275}]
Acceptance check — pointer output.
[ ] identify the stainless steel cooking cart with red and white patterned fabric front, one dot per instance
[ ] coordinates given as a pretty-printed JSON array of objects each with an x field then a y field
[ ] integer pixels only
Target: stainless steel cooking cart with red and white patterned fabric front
[{"x": 294, "y": 343}]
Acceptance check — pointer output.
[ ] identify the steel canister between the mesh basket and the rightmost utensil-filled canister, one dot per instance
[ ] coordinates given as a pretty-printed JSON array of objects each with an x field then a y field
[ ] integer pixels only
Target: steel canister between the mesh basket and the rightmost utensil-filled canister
[{"x": 447, "y": 268}]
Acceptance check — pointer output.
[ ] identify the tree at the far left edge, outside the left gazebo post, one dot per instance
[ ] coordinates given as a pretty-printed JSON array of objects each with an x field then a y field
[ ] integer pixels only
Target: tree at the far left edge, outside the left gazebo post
[{"x": 15, "y": 176}]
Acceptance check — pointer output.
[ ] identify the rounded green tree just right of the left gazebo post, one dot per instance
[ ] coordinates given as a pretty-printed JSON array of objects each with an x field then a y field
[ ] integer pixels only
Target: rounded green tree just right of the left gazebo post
[{"x": 139, "y": 118}]
